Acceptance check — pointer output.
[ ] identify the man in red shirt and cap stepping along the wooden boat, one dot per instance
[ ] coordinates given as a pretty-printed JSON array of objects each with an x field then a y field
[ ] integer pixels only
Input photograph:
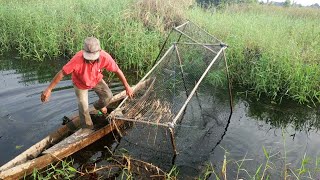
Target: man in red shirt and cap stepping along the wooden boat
[{"x": 86, "y": 67}]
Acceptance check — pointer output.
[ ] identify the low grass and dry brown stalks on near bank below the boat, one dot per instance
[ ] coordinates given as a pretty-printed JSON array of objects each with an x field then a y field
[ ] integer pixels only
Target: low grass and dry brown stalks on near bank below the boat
[{"x": 117, "y": 167}]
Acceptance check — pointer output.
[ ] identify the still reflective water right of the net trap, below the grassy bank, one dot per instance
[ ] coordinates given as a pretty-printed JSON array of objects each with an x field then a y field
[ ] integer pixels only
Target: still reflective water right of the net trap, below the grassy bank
[{"x": 288, "y": 130}]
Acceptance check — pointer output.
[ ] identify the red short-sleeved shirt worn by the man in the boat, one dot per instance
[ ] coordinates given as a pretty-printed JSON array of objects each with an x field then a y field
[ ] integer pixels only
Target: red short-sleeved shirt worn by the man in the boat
[{"x": 86, "y": 75}]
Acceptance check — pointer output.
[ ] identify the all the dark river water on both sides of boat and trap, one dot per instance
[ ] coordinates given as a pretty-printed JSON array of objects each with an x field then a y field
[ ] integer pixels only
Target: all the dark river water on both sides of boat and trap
[{"x": 288, "y": 130}]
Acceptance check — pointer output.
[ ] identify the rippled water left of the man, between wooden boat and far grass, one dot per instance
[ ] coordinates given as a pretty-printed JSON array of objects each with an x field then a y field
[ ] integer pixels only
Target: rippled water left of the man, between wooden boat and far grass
[{"x": 24, "y": 120}]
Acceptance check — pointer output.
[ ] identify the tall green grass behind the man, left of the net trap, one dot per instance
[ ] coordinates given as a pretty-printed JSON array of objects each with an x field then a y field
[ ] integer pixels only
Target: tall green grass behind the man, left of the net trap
[{"x": 51, "y": 29}]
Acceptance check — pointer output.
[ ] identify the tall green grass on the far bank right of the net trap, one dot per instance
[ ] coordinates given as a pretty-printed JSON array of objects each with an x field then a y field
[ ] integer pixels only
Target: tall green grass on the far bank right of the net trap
[{"x": 273, "y": 51}]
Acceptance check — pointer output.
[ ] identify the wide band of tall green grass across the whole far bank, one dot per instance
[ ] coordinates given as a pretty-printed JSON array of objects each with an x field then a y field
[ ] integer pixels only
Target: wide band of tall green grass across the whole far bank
[{"x": 273, "y": 51}]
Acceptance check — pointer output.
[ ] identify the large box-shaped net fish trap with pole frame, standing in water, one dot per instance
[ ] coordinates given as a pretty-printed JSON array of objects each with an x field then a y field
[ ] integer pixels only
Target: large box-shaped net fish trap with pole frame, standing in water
[{"x": 187, "y": 90}]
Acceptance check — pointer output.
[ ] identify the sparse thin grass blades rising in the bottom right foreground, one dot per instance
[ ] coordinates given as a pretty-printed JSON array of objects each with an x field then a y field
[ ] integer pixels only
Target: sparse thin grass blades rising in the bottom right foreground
[{"x": 269, "y": 169}]
